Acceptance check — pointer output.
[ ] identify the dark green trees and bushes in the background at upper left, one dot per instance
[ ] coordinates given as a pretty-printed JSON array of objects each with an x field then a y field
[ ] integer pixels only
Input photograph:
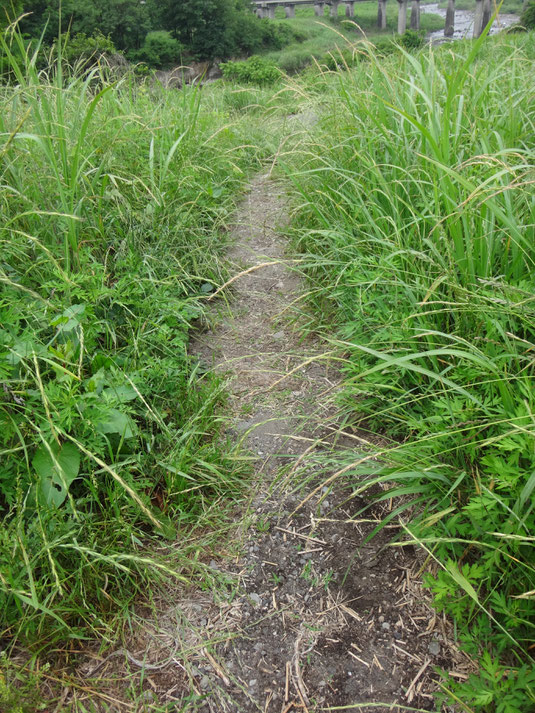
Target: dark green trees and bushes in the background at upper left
[{"x": 161, "y": 33}]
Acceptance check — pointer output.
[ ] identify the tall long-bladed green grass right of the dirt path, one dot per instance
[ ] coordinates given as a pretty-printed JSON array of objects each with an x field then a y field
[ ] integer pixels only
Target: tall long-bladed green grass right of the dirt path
[{"x": 416, "y": 222}]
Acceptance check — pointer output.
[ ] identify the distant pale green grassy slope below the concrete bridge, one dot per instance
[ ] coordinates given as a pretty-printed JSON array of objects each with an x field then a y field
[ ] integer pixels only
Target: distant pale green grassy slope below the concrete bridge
[{"x": 323, "y": 35}]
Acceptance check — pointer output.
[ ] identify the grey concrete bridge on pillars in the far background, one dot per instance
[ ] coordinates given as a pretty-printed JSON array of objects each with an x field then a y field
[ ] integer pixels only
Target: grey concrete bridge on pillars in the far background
[{"x": 483, "y": 12}]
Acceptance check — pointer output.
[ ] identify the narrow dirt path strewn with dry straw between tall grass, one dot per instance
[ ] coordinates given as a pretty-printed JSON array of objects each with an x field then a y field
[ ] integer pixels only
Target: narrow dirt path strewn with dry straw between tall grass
[{"x": 319, "y": 618}]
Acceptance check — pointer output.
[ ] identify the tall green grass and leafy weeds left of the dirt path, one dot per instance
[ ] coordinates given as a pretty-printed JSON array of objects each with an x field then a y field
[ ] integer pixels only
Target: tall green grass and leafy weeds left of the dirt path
[{"x": 113, "y": 199}]
